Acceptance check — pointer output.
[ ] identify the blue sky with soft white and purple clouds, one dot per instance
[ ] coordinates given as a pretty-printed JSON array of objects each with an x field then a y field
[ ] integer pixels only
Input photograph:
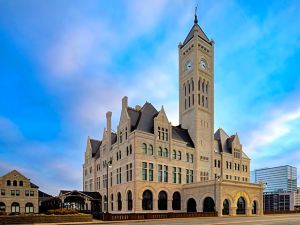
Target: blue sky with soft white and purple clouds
[{"x": 63, "y": 64}]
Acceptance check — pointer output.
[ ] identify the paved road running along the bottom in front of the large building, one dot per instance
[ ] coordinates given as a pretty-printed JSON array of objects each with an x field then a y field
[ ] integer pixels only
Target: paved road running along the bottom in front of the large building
[{"x": 264, "y": 220}]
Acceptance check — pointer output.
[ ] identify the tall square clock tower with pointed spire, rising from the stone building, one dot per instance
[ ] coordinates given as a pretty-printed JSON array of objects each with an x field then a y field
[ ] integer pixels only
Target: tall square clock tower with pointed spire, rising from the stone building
[{"x": 196, "y": 96}]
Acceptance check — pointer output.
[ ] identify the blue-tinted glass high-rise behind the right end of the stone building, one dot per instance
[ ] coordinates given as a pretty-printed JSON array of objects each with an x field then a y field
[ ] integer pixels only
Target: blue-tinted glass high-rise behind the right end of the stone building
[{"x": 277, "y": 179}]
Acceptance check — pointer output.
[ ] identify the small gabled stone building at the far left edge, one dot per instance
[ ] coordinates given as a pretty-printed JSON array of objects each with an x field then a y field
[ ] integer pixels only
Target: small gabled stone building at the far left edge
[{"x": 18, "y": 194}]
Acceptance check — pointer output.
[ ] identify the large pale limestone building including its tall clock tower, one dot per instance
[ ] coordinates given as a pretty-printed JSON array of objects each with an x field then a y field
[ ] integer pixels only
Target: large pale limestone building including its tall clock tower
[{"x": 151, "y": 165}]
